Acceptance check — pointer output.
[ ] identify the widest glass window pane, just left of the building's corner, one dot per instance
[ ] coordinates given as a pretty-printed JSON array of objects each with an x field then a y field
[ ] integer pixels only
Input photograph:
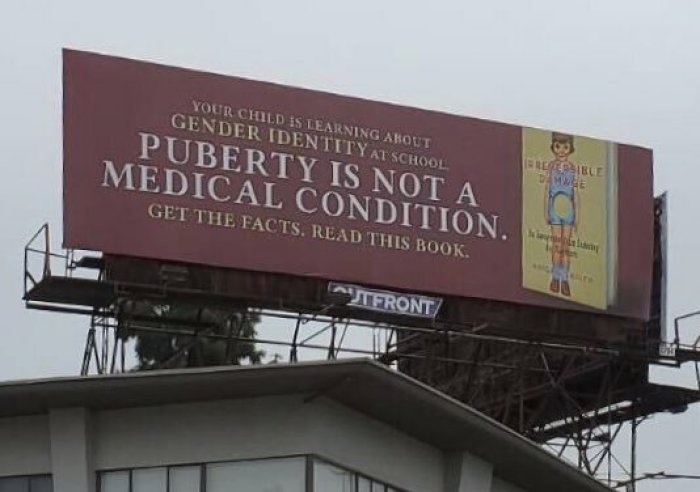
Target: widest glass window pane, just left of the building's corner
[{"x": 273, "y": 475}]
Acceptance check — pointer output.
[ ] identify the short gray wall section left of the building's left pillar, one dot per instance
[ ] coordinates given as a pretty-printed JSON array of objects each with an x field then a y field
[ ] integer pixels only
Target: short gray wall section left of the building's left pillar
[{"x": 25, "y": 446}]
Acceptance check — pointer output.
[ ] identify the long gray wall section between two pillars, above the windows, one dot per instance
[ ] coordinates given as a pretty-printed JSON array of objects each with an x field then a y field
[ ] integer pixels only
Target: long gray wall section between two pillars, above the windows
[{"x": 264, "y": 427}]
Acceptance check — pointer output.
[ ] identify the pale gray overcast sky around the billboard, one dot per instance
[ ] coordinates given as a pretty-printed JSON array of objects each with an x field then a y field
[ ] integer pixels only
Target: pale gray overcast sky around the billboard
[{"x": 624, "y": 70}]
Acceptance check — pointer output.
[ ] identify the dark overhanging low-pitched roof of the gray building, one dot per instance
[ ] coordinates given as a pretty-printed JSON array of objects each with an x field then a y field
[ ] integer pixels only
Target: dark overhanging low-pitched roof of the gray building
[{"x": 361, "y": 384}]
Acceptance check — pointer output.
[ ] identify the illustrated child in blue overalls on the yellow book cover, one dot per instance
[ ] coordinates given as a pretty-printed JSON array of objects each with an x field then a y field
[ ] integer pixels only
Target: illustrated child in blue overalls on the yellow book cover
[{"x": 561, "y": 210}]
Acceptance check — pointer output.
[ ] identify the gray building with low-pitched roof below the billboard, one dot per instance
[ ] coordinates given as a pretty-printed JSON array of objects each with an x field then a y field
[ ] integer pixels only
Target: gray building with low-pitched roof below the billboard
[{"x": 347, "y": 425}]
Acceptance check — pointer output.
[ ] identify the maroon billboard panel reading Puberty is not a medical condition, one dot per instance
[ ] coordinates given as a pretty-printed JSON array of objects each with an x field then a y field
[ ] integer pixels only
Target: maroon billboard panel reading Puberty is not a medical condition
[{"x": 174, "y": 164}]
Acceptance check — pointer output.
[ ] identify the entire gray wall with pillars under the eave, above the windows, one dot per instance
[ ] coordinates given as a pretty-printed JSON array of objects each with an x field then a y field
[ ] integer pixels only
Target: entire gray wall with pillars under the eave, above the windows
[{"x": 77, "y": 442}]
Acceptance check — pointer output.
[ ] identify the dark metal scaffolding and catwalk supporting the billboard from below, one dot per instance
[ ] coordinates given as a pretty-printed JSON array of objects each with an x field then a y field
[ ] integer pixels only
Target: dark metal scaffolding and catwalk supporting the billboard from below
[{"x": 576, "y": 397}]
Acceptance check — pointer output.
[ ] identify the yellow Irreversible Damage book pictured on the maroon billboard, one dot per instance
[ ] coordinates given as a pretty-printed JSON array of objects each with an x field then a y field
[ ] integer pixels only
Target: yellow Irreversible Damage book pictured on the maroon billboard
[{"x": 569, "y": 222}]
